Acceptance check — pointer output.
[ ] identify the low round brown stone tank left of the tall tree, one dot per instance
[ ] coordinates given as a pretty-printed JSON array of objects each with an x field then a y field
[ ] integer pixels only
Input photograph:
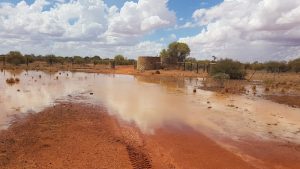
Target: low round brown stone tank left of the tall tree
[{"x": 148, "y": 63}]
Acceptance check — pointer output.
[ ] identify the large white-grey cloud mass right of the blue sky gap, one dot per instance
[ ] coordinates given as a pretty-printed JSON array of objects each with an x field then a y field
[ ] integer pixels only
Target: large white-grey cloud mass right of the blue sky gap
[{"x": 248, "y": 30}]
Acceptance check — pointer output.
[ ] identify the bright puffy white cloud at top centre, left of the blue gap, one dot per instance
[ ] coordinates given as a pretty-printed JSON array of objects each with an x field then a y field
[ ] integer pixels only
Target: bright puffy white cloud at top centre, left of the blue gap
[{"x": 141, "y": 17}]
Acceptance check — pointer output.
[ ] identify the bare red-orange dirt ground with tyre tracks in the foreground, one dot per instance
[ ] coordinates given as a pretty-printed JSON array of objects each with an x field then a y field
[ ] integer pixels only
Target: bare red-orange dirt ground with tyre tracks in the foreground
[{"x": 84, "y": 136}]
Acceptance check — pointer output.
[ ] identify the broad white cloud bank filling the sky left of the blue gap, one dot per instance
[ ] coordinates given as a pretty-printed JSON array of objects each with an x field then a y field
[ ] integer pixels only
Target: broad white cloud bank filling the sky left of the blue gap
[{"x": 81, "y": 26}]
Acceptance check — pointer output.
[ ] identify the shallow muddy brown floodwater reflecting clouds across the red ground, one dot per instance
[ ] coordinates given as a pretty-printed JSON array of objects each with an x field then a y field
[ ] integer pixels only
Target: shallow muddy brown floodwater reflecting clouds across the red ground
[{"x": 152, "y": 103}]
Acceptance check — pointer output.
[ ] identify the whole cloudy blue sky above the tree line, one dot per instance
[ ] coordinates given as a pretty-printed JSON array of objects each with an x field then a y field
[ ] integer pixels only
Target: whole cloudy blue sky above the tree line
[{"x": 245, "y": 30}]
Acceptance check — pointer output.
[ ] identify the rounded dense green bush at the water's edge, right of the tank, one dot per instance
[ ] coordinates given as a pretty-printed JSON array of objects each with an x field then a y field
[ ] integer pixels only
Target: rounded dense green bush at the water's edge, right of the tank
[{"x": 234, "y": 69}]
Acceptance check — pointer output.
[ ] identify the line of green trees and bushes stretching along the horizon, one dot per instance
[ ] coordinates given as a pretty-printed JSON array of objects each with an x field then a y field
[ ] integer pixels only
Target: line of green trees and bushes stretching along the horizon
[{"x": 176, "y": 52}]
